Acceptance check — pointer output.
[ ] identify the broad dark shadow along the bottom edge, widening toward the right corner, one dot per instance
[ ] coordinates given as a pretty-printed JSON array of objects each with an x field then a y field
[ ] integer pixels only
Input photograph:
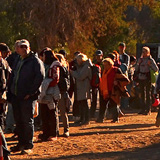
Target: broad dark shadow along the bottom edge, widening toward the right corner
[{"x": 147, "y": 153}]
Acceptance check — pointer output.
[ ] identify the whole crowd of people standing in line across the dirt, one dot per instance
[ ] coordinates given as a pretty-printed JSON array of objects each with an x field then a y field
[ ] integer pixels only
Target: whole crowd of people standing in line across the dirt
[{"x": 47, "y": 82}]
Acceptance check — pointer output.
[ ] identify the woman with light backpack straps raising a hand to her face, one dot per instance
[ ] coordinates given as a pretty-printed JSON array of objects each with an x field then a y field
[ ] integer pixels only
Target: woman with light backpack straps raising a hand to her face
[{"x": 144, "y": 65}]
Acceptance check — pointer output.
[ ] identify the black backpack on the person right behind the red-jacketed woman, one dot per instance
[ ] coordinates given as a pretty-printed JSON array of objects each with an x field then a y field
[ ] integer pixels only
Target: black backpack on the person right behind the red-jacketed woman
[{"x": 64, "y": 80}]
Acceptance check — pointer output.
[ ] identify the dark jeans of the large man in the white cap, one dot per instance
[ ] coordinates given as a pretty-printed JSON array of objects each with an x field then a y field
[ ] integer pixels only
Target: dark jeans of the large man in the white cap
[{"x": 23, "y": 111}]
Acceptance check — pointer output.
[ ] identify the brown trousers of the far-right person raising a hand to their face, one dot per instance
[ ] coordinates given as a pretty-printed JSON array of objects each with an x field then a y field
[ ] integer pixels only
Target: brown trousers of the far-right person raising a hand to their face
[{"x": 145, "y": 95}]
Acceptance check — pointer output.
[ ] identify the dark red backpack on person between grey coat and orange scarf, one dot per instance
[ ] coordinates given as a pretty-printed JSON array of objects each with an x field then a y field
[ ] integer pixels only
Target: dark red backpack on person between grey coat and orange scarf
[{"x": 96, "y": 75}]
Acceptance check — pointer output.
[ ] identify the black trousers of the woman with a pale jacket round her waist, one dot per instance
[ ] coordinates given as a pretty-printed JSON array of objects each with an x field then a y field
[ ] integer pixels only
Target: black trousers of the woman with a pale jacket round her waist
[{"x": 50, "y": 121}]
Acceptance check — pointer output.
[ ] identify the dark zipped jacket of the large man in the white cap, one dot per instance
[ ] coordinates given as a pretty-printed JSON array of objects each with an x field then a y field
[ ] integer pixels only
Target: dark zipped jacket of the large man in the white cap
[{"x": 27, "y": 76}]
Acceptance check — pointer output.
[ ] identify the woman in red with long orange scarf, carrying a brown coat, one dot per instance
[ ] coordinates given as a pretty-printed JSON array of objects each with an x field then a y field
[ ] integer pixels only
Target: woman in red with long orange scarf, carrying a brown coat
[{"x": 112, "y": 87}]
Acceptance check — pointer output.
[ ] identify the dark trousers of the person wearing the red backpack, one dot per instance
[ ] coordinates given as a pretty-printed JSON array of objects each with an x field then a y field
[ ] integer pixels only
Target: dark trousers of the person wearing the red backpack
[{"x": 93, "y": 102}]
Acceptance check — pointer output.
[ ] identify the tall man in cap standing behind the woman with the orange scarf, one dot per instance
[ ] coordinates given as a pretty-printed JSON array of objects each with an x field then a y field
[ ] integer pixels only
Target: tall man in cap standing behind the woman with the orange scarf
[{"x": 125, "y": 62}]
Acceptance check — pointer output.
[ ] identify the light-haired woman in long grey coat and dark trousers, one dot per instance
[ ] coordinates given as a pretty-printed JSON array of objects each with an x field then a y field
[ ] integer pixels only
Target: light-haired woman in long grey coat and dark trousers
[{"x": 83, "y": 76}]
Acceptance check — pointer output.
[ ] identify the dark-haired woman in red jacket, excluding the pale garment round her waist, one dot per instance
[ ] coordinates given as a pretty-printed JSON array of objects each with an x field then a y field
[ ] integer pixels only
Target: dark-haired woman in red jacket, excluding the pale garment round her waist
[{"x": 49, "y": 115}]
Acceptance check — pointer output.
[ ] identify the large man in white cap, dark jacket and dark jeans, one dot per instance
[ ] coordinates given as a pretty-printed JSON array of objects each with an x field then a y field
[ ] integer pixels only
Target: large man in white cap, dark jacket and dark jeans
[{"x": 26, "y": 78}]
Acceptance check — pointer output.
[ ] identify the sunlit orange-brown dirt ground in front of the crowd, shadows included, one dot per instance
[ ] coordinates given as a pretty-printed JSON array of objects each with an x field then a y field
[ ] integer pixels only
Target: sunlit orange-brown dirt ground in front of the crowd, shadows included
[{"x": 135, "y": 137}]
